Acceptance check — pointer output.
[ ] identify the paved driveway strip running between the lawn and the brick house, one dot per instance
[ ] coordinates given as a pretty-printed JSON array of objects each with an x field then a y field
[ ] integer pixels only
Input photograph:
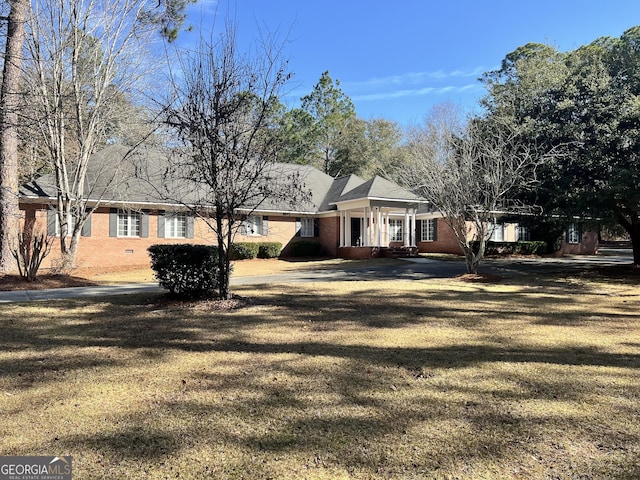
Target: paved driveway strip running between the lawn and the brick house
[{"x": 410, "y": 269}]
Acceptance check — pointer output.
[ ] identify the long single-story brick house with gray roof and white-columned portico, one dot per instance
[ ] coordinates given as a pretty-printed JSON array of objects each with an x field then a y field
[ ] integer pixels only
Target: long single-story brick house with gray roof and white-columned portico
[{"x": 350, "y": 217}]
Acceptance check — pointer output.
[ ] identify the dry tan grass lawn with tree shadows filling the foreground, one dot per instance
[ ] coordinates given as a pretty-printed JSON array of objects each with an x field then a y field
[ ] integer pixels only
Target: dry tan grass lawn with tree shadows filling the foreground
[{"x": 424, "y": 379}]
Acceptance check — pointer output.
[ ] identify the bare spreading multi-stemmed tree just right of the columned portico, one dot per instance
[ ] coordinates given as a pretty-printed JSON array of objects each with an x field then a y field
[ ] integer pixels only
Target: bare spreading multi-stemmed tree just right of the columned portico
[{"x": 468, "y": 173}]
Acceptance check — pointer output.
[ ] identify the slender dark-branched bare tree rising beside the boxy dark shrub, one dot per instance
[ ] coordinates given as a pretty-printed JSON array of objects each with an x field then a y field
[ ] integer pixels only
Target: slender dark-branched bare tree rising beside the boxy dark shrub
[{"x": 222, "y": 113}]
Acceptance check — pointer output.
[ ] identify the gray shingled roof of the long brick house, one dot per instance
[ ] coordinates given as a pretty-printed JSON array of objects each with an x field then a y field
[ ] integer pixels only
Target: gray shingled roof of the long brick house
[{"x": 134, "y": 188}]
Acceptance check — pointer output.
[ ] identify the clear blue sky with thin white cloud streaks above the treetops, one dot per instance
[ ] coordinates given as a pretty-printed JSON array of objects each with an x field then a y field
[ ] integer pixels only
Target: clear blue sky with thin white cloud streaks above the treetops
[{"x": 396, "y": 60}]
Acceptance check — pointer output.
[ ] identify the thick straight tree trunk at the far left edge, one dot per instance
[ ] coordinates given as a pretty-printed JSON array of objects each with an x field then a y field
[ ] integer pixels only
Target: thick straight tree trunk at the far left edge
[{"x": 9, "y": 104}]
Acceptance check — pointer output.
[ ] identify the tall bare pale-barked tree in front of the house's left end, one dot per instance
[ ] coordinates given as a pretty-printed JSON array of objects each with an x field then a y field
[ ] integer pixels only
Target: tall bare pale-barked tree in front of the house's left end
[{"x": 83, "y": 58}]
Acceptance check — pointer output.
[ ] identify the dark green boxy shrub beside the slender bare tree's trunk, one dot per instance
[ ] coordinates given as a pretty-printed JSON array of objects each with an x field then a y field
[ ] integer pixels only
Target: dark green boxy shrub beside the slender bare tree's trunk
[{"x": 186, "y": 270}]
